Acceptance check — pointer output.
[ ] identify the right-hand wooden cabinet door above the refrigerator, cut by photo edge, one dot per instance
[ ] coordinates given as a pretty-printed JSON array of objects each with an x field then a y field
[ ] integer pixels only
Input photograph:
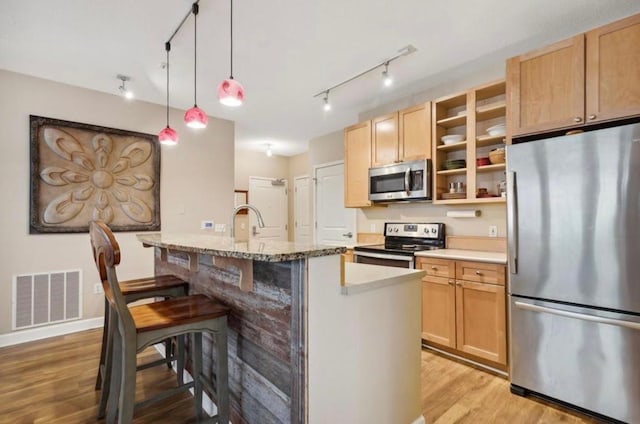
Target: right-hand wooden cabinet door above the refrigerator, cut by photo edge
[{"x": 613, "y": 70}]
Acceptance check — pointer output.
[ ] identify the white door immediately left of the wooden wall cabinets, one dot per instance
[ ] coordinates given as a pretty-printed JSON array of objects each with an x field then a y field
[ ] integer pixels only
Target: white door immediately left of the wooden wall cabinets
[{"x": 335, "y": 224}]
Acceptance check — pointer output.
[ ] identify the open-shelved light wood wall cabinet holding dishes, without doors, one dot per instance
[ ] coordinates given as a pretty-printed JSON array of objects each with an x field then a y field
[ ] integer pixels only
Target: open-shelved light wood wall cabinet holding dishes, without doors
[{"x": 469, "y": 114}]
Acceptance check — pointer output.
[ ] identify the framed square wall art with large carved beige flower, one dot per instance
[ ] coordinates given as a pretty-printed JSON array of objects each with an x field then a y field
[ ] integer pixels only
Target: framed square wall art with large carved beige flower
[{"x": 81, "y": 172}]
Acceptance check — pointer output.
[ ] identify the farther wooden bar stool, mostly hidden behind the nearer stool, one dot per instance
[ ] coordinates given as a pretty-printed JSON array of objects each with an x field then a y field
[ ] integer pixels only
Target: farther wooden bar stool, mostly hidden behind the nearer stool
[{"x": 164, "y": 286}]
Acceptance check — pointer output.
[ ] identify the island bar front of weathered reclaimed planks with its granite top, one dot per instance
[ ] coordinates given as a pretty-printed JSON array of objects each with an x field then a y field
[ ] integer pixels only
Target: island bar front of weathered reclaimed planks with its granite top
[{"x": 264, "y": 283}]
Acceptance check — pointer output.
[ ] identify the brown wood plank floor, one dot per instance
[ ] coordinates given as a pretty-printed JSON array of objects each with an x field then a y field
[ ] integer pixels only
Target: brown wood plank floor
[{"x": 51, "y": 382}]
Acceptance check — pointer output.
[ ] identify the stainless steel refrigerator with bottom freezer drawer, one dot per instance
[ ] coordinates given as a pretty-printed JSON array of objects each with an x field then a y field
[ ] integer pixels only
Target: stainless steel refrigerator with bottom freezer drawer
[{"x": 573, "y": 213}]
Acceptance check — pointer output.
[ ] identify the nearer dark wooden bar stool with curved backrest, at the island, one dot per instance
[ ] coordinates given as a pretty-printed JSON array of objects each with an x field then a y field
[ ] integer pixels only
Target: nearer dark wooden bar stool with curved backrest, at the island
[{"x": 137, "y": 327}]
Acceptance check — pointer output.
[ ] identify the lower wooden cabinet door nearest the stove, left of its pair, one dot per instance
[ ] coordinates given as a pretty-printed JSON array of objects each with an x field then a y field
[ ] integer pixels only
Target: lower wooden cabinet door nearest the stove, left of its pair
[{"x": 439, "y": 311}]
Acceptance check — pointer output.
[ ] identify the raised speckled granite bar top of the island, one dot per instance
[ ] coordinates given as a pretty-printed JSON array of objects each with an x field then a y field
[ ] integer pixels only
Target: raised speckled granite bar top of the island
[{"x": 257, "y": 250}]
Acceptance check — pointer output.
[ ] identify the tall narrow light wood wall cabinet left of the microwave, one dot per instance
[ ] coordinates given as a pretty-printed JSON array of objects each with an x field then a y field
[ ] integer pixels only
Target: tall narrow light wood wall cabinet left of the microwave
[{"x": 357, "y": 161}]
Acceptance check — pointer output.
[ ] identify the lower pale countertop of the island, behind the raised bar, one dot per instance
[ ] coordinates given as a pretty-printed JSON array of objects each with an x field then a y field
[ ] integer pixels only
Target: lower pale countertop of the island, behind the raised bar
[{"x": 363, "y": 277}]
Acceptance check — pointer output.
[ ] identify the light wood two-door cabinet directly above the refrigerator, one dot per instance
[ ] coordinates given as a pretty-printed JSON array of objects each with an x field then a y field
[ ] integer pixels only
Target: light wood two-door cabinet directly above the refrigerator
[{"x": 588, "y": 78}]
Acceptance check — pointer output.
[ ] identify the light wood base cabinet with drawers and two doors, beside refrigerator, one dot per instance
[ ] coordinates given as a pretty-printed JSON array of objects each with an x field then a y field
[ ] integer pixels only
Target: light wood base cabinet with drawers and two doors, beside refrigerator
[{"x": 466, "y": 309}]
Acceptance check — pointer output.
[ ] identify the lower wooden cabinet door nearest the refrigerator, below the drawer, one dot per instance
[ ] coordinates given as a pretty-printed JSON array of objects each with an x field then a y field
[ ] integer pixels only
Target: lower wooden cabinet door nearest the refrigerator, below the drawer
[{"x": 481, "y": 320}]
